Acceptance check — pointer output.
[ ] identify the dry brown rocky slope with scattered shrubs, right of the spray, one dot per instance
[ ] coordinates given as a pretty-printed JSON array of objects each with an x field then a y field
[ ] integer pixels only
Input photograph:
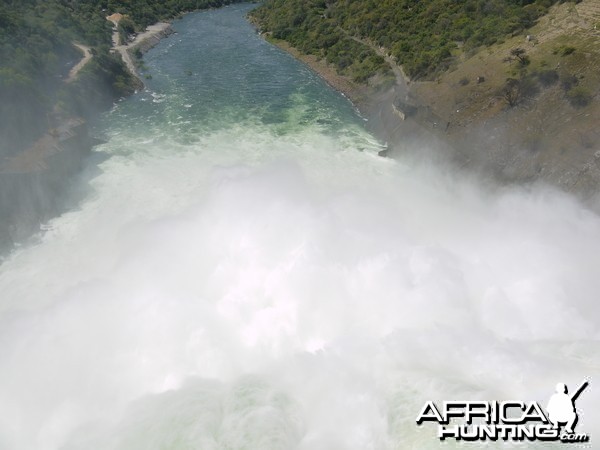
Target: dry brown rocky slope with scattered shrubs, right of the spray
[{"x": 529, "y": 107}]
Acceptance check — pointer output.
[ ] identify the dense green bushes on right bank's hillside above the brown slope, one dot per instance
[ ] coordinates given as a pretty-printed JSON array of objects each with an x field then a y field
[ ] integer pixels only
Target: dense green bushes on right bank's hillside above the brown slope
[{"x": 422, "y": 36}]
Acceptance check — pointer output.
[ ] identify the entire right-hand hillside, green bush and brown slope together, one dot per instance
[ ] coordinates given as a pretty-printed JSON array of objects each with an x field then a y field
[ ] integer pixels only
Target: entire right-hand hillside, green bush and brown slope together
[{"x": 514, "y": 91}]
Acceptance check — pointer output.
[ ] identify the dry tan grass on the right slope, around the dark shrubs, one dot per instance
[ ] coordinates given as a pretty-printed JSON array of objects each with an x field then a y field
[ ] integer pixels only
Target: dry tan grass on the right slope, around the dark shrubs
[{"x": 561, "y": 137}]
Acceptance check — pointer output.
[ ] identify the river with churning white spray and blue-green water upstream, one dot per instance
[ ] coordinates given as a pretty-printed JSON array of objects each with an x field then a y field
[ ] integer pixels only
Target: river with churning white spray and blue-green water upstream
[{"x": 246, "y": 273}]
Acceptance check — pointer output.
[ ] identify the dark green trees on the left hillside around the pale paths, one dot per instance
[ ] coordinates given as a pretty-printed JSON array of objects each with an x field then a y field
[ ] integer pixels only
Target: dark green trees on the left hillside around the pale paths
[{"x": 36, "y": 53}]
